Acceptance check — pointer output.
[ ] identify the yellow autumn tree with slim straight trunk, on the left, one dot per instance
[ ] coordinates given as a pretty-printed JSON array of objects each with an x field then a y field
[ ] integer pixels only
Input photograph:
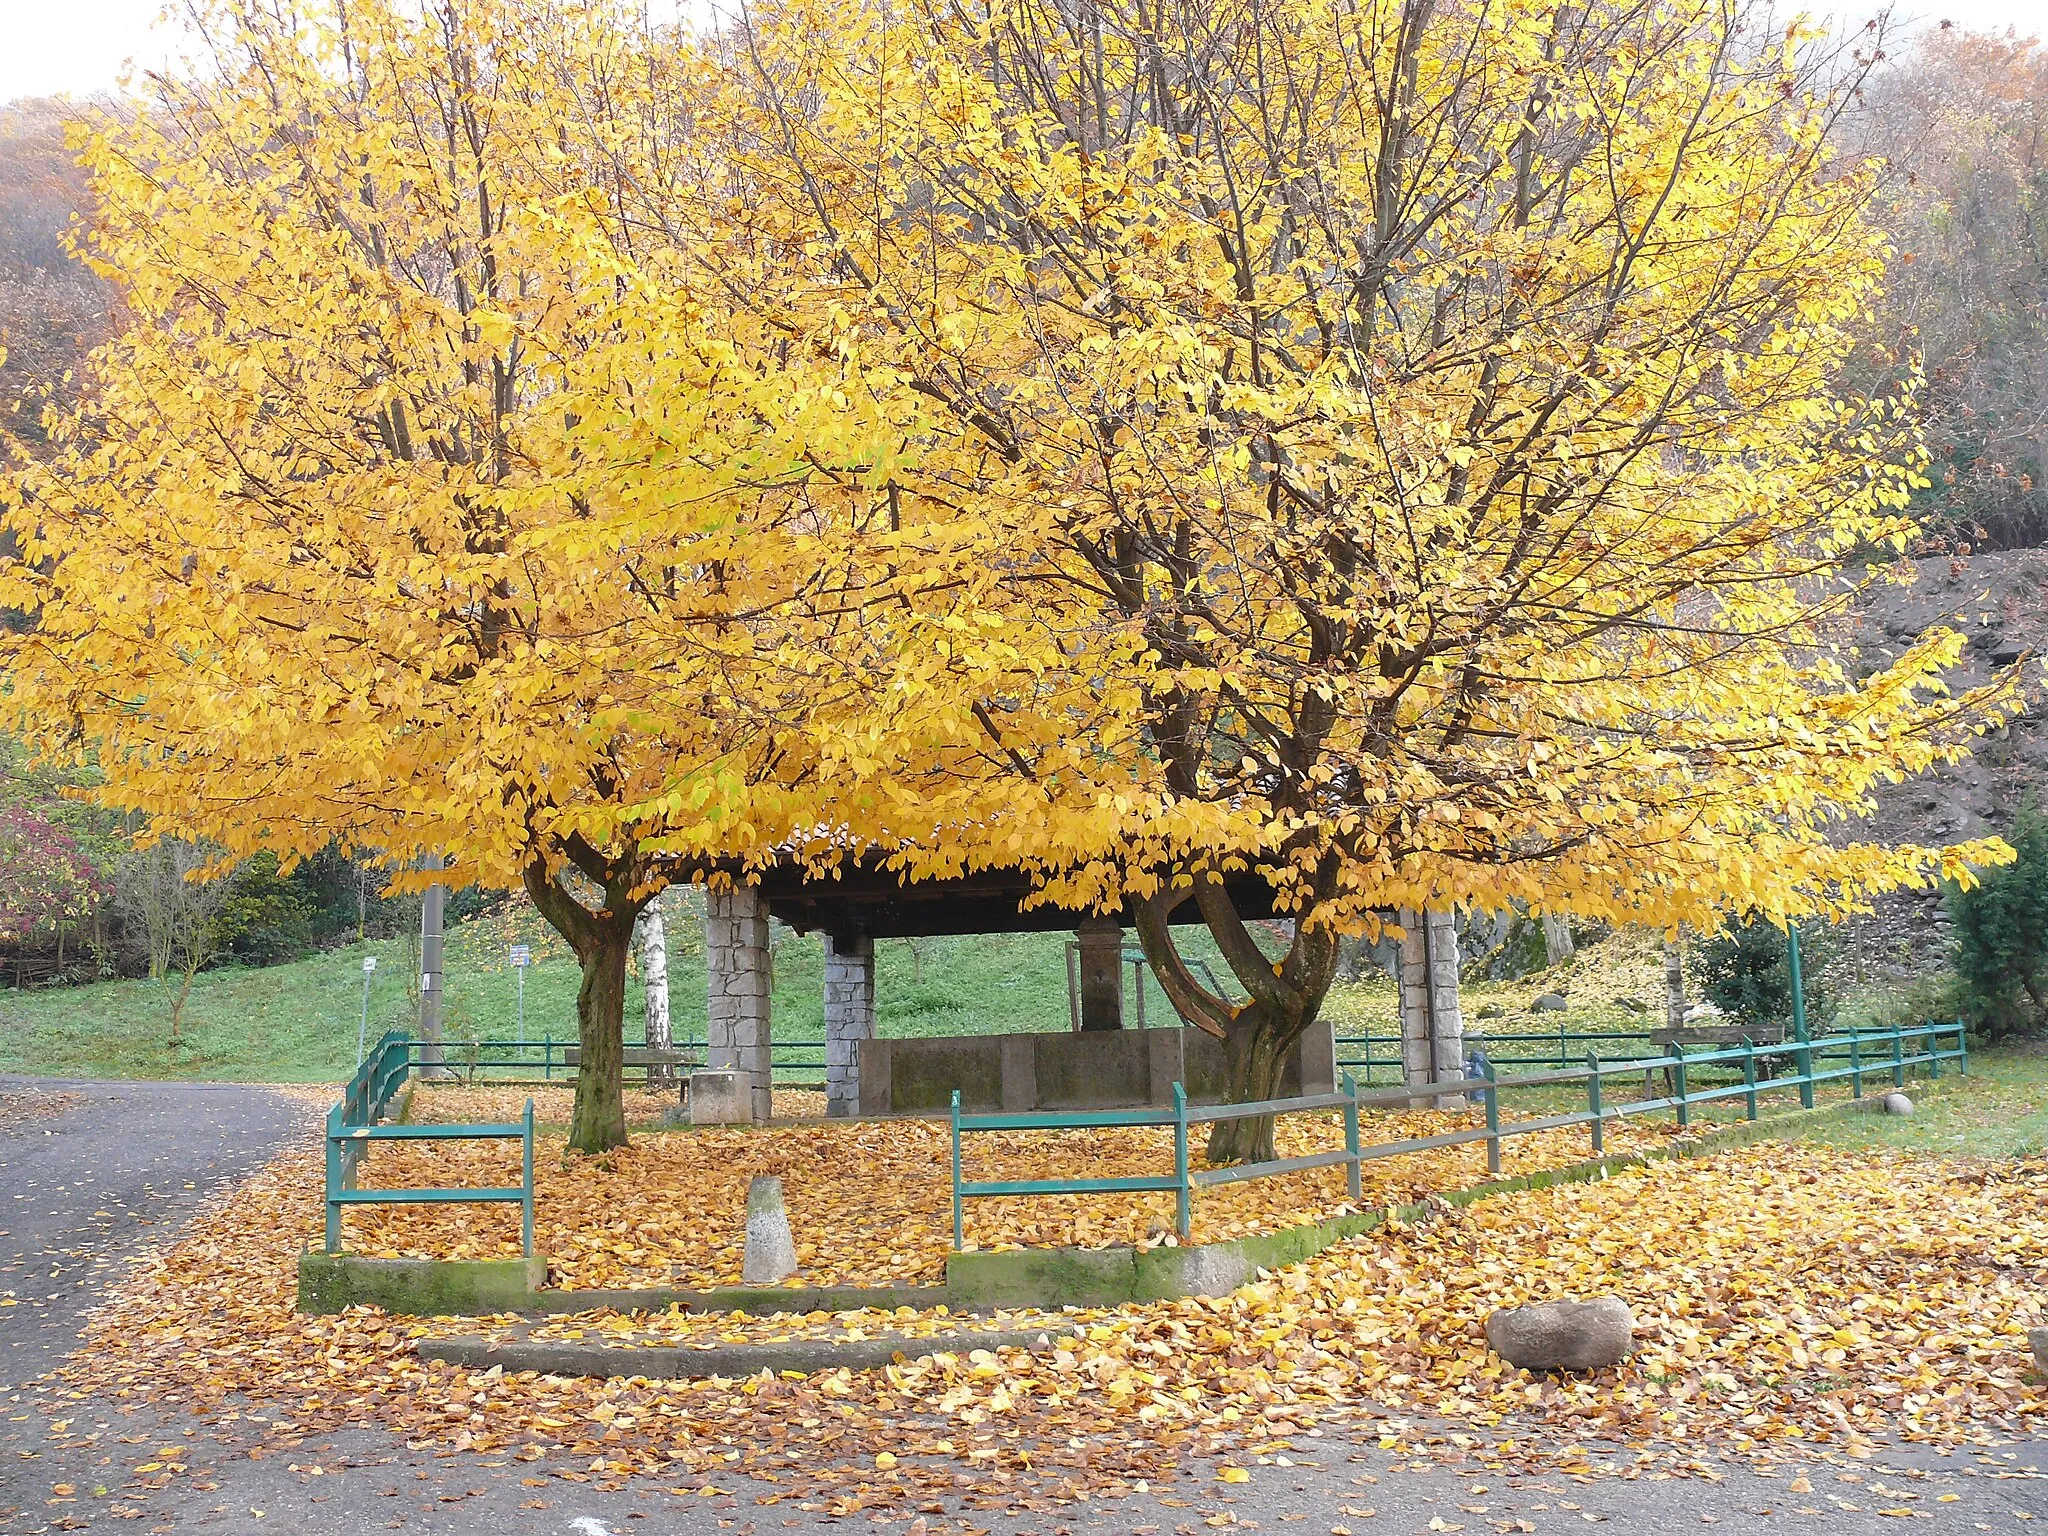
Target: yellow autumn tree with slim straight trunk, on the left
[{"x": 421, "y": 505}]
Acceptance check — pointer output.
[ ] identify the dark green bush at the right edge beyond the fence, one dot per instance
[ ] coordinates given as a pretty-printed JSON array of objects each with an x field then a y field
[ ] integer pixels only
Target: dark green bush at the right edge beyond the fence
[{"x": 2002, "y": 937}]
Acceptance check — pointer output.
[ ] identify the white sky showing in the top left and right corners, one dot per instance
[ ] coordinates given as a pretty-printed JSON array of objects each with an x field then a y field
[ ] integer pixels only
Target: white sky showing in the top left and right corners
[{"x": 81, "y": 46}]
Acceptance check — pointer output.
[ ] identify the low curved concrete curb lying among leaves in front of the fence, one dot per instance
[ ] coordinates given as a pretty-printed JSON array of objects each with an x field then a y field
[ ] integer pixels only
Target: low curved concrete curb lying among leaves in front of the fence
[{"x": 734, "y": 1361}]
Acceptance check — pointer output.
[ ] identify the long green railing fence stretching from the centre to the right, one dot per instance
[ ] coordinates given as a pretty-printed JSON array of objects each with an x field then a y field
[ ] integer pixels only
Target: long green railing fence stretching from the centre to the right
[{"x": 1850, "y": 1058}]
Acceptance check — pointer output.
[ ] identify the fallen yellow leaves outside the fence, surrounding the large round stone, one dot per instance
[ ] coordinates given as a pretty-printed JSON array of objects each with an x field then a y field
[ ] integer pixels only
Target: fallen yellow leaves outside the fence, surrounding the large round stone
[{"x": 1785, "y": 1295}]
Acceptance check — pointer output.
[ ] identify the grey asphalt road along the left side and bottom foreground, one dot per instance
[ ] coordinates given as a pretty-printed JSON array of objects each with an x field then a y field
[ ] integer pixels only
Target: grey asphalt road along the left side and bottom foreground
[{"x": 89, "y": 1179}]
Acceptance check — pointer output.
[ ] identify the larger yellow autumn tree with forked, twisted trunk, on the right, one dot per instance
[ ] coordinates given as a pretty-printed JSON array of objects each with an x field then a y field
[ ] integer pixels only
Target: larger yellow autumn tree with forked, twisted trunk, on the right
[{"x": 1394, "y": 447}]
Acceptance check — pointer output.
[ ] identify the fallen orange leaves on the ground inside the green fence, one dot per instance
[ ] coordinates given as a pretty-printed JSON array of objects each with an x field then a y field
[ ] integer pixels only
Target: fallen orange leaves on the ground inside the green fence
[{"x": 871, "y": 1201}]
